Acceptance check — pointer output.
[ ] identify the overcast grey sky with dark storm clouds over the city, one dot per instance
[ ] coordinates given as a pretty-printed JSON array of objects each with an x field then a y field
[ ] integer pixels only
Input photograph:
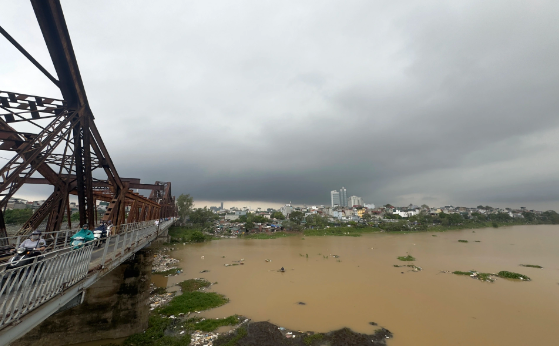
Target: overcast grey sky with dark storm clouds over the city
[{"x": 266, "y": 102}]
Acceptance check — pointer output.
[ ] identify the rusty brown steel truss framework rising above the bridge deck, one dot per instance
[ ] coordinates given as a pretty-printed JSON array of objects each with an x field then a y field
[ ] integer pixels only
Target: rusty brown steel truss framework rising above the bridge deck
[{"x": 56, "y": 142}]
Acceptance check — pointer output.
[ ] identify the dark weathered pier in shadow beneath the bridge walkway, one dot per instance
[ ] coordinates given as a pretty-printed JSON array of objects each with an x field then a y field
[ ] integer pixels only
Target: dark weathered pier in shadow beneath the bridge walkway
[{"x": 114, "y": 307}]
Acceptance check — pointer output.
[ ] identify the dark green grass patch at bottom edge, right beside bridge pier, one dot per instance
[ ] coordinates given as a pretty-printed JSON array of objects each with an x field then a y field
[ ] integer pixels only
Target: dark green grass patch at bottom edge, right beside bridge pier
[{"x": 154, "y": 335}]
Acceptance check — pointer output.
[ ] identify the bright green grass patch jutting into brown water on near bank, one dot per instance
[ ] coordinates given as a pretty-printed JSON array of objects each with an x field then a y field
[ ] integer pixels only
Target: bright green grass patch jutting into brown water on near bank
[{"x": 193, "y": 301}]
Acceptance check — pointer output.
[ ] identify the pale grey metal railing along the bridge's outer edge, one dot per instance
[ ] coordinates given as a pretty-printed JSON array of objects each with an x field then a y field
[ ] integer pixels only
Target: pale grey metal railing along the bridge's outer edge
[{"x": 25, "y": 288}]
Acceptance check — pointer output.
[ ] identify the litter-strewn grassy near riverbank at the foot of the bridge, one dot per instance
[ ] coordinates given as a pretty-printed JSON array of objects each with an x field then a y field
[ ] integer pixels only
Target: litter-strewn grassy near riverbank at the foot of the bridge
[{"x": 175, "y": 320}]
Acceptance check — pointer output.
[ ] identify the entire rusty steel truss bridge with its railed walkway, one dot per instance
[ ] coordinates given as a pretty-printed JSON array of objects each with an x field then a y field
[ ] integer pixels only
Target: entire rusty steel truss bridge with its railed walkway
[{"x": 55, "y": 142}]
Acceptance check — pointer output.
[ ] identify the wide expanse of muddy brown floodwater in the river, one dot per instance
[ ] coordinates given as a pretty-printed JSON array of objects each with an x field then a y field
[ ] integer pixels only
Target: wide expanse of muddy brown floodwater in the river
[{"x": 420, "y": 308}]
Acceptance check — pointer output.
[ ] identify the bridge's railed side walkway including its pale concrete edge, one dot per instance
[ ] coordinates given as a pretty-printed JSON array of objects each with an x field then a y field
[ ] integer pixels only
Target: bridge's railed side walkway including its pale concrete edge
[{"x": 30, "y": 294}]
